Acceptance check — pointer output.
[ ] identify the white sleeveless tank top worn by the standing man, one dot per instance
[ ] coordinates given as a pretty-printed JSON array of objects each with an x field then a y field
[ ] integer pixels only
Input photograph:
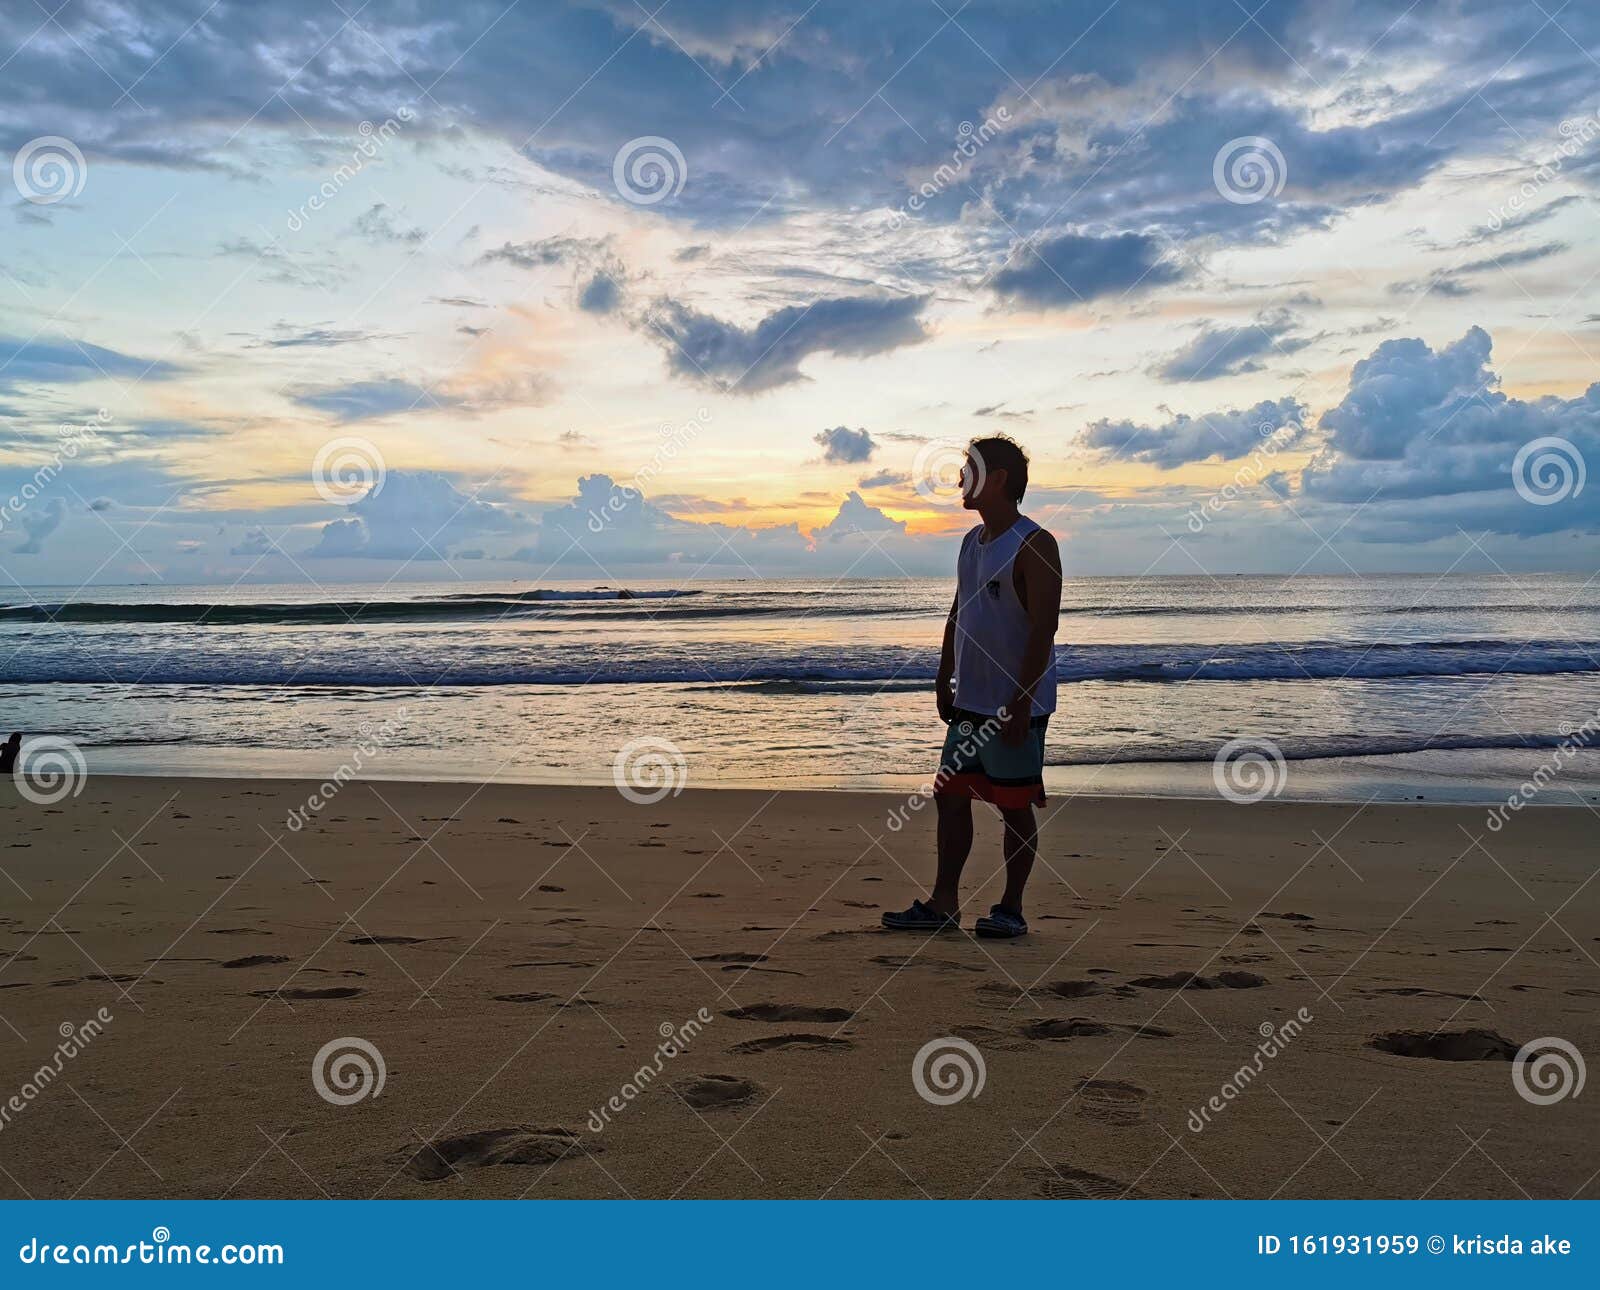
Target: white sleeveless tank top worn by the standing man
[{"x": 991, "y": 625}]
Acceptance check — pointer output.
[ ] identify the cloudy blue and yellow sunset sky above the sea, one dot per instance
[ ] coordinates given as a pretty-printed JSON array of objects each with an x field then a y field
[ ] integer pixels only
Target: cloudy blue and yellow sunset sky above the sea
[{"x": 602, "y": 290}]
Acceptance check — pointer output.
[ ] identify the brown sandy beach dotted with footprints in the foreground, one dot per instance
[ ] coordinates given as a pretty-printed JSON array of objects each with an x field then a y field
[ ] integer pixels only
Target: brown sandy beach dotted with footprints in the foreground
[{"x": 518, "y": 955}]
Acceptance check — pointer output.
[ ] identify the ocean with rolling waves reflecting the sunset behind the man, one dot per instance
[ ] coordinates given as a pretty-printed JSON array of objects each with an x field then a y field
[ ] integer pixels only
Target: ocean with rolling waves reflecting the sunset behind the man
[{"x": 1386, "y": 687}]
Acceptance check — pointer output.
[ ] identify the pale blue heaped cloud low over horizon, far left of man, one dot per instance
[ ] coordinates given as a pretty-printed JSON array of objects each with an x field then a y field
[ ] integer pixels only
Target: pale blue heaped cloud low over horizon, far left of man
[{"x": 414, "y": 516}]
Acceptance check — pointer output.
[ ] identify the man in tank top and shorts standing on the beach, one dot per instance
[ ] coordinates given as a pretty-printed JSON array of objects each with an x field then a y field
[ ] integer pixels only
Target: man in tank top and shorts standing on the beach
[{"x": 1001, "y": 654}]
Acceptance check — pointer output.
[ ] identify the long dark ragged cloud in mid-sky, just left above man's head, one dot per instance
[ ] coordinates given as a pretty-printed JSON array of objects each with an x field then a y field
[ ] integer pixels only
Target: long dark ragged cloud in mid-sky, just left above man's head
[{"x": 769, "y": 355}]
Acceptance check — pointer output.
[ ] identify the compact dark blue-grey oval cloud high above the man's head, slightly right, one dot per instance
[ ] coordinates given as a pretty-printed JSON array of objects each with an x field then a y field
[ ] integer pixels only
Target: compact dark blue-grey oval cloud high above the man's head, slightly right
[{"x": 1074, "y": 270}]
